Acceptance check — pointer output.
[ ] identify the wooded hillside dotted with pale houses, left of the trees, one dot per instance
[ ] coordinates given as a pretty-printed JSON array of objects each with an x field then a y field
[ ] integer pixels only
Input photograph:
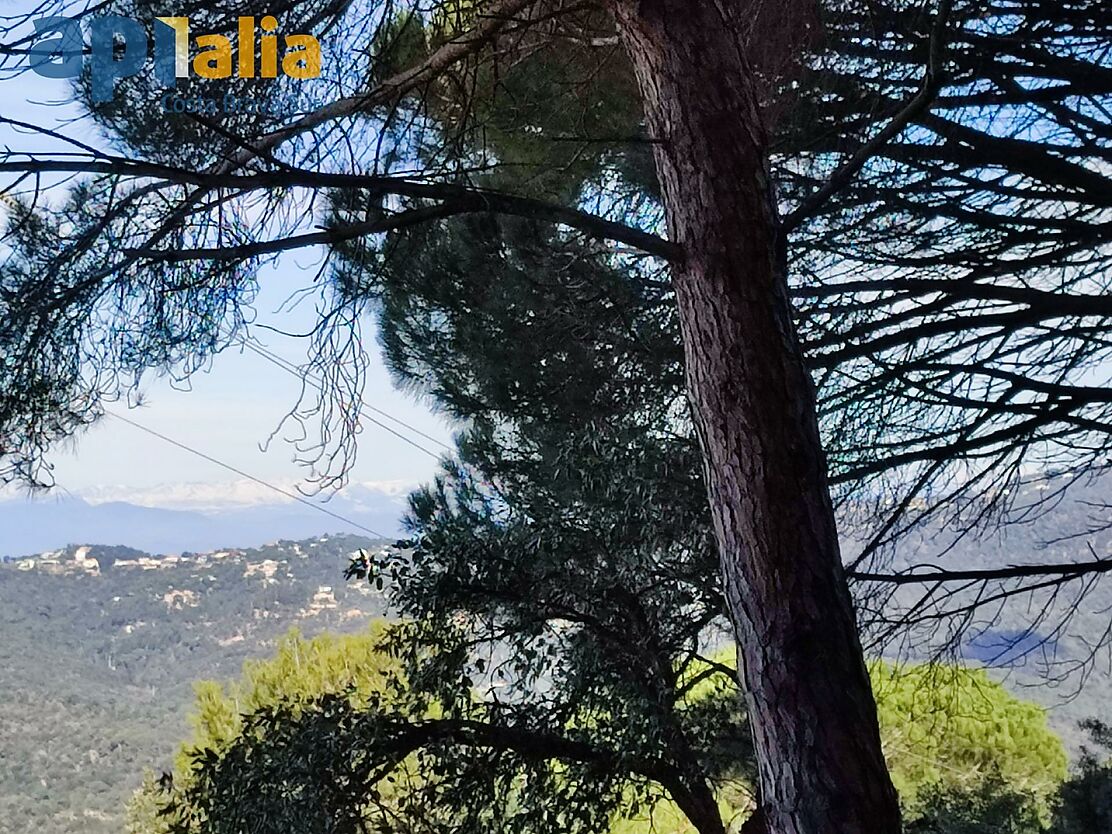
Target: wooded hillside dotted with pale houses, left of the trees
[{"x": 102, "y": 647}]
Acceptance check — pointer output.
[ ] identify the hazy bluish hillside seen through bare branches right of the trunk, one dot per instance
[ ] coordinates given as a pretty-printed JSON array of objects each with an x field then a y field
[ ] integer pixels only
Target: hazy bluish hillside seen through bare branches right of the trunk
[{"x": 1051, "y": 648}]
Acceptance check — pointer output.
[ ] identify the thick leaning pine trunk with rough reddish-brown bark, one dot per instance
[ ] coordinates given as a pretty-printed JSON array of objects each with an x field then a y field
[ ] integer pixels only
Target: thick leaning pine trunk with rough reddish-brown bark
[{"x": 810, "y": 702}]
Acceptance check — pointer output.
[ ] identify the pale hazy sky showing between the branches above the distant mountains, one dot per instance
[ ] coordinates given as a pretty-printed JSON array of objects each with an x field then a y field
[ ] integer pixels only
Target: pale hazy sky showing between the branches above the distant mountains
[{"x": 232, "y": 410}]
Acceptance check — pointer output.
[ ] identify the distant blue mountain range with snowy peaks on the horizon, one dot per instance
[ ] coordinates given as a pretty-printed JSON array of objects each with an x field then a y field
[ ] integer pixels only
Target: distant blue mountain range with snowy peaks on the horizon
[{"x": 193, "y": 518}]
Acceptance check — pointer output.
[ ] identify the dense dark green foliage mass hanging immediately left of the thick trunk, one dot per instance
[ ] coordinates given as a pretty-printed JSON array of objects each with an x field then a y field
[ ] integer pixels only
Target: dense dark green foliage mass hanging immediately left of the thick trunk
[{"x": 573, "y": 524}]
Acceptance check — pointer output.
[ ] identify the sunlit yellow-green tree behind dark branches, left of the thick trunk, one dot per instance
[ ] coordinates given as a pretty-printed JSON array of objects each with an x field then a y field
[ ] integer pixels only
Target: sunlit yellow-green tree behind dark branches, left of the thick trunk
[{"x": 334, "y": 736}]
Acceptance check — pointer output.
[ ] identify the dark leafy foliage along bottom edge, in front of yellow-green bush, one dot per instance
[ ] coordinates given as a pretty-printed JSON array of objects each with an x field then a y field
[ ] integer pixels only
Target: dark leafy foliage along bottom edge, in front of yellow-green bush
[{"x": 330, "y": 769}]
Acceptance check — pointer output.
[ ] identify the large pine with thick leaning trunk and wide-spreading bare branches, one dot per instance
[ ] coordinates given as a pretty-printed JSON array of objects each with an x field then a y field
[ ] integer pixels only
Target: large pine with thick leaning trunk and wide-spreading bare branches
[{"x": 955, "y": 152}]
